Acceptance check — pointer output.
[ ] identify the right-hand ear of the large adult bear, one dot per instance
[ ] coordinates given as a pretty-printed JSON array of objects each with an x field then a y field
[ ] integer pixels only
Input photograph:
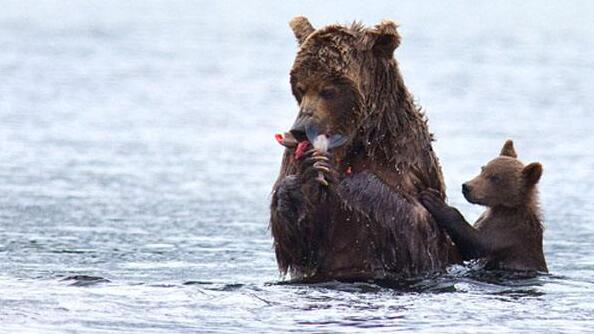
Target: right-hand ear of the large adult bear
[{"x": 383, "y": 39}]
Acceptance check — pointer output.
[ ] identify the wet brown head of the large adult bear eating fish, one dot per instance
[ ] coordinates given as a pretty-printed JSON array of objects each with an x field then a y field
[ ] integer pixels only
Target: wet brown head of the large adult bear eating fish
[{"x": 330, "y": 78}]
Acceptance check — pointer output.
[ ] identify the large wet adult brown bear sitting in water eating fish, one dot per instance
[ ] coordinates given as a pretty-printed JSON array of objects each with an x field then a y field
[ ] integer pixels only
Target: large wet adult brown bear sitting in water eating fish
[{"x": 361, "y": 219}]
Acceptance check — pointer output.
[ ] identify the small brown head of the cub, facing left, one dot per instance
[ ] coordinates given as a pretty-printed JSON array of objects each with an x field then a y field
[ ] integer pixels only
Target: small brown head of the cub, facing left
[{"x": 504, "y": 181}]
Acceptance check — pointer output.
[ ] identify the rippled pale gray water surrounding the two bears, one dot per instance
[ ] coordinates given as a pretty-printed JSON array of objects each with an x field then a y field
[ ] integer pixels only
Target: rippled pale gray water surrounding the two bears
[{"x": 137, "y": 157}]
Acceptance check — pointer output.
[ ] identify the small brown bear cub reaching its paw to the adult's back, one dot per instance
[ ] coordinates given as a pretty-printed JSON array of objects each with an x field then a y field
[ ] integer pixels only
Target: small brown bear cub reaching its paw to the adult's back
[{"x": 508, "y": 235}]
